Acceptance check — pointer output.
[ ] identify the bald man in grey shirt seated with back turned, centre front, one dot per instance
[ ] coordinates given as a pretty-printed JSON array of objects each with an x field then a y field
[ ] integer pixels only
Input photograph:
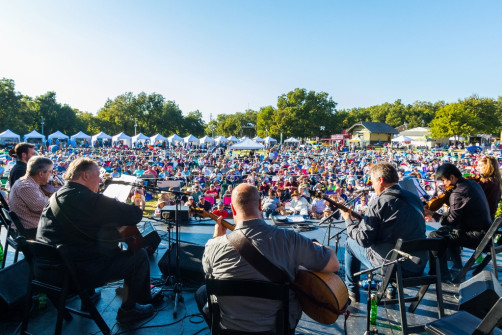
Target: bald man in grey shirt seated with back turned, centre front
[{"x": 283, "y": 247}]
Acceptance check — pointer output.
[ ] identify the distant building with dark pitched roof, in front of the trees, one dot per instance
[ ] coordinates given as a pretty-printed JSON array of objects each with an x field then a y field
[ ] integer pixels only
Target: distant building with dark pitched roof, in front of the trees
[{"x": 371, "y": 132}]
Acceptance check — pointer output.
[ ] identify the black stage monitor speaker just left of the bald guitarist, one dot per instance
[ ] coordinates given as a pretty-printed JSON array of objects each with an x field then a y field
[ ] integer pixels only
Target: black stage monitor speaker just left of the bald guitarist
[{"x": 191, "y": 270}]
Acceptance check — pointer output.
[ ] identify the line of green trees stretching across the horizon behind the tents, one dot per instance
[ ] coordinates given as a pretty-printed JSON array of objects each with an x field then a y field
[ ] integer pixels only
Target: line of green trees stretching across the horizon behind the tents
[{"x": 298, "y": 113}]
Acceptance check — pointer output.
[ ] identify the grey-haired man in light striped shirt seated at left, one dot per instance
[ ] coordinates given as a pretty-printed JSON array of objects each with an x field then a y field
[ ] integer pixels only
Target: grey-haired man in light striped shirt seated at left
[{"x": 26, "y": 197}]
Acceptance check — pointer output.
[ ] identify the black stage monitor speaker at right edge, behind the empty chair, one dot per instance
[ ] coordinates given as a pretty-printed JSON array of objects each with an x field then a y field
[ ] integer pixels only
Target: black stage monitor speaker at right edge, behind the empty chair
[{"x": 479, "y": 294}]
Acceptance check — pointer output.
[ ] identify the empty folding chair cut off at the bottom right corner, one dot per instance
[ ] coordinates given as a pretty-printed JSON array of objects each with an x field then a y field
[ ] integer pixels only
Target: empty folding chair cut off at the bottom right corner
[{"x": 464, "y": 323}]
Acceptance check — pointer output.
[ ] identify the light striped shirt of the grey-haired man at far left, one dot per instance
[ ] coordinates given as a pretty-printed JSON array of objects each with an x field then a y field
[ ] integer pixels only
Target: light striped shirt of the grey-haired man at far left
[{"x": 27, "y": 200}]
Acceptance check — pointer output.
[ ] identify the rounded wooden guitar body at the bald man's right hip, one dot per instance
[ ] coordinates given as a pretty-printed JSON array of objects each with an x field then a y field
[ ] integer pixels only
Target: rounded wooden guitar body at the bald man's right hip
[{"x": 327, "y": 289}]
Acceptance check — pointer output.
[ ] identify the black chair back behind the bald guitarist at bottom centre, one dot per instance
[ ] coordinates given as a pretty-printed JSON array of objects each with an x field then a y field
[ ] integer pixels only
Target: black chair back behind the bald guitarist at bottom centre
[{"x": 247, "y": 288}]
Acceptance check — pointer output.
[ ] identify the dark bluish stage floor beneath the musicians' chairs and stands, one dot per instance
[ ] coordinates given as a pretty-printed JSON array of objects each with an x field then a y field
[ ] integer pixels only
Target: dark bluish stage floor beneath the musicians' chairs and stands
[{"x": 188, "y": 320}]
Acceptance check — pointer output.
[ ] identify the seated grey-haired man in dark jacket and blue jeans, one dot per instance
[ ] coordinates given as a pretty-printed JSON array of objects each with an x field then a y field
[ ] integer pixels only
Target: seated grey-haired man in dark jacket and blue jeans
[{"x": 396, "y": 213}]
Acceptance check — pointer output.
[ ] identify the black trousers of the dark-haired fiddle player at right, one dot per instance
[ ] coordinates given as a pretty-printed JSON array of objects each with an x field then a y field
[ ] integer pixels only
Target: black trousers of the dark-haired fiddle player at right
[{"x": 455, "y": 239}]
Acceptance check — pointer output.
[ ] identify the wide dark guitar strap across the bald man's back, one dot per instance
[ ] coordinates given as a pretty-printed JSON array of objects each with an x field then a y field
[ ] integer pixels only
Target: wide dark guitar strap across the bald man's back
[{"x": 264, "y": 266}]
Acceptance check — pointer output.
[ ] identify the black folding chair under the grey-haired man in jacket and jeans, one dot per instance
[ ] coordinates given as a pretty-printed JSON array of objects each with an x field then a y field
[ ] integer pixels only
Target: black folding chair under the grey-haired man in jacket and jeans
[{"x": 394, "y": 275}]
